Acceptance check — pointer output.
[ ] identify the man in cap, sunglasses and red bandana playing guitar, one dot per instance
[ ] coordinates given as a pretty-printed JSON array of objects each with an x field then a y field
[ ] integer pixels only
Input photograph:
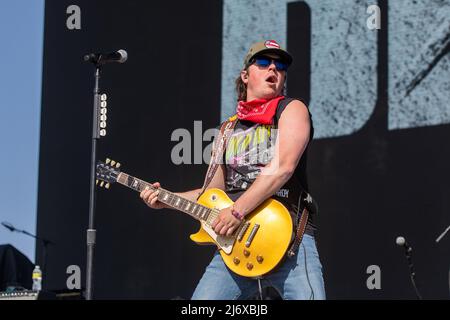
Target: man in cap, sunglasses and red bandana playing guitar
[{"x": 265, "y": 157}]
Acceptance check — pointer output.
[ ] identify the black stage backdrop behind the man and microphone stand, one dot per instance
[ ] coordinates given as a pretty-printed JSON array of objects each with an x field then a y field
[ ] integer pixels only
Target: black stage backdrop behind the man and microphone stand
[{"x": 371, "y": 186}]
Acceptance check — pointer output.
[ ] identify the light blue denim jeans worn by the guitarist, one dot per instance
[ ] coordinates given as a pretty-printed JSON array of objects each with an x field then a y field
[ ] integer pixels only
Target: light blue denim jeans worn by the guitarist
[{"x": 296, "y": 278}]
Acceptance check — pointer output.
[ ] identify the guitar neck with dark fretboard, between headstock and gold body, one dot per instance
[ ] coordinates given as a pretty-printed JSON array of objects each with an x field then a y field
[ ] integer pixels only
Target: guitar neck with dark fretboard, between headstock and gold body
[{"x": 174, "y": 201}]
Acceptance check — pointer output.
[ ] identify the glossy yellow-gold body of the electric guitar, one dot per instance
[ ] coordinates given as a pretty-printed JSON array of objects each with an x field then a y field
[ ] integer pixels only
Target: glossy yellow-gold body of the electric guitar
[{"x": 252, "y": 255}]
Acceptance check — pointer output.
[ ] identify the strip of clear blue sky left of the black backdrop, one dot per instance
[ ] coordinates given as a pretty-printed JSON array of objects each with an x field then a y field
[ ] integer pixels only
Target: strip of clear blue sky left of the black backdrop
[{"x": 21, "y": 49}]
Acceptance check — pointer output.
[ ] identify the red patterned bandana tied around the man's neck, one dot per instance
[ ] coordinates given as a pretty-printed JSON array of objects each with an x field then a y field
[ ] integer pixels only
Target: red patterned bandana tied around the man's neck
[{"x": 259, "y": 110}]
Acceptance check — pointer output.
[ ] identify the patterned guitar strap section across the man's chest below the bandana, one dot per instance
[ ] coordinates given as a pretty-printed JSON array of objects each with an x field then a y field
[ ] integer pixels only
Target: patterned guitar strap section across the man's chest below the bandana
[{"x": 218, "y": 148}]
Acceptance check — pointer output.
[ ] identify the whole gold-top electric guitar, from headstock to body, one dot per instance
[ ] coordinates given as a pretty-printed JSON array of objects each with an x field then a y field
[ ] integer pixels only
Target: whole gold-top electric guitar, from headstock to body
[{"x": 254, "y": 249}]
